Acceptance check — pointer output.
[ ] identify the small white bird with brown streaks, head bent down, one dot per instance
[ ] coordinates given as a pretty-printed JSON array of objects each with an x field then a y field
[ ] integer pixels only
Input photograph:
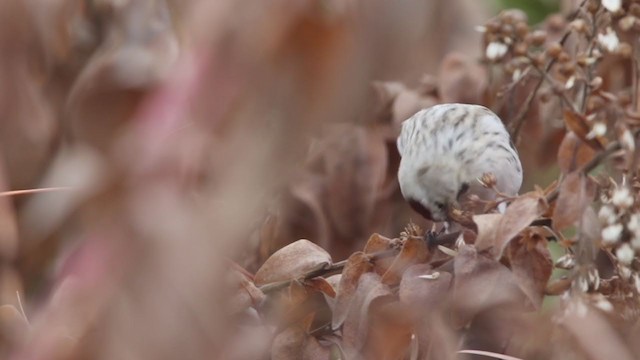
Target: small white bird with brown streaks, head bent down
[{"x": 446, "y": 149}]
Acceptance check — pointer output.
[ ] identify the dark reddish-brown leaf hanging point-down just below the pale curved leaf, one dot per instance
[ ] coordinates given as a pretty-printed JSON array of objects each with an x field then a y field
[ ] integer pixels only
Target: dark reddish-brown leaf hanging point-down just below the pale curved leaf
[{"x": 531, "y": 266}]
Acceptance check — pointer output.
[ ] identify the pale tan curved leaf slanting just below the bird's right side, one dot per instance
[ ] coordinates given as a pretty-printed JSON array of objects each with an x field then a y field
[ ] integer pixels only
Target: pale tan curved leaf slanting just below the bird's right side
[{"x": 517, "y": 217}]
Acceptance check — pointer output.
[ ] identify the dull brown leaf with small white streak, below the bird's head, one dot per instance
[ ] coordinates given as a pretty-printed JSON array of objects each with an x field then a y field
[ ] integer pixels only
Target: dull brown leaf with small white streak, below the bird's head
[{"x": 424, "y": 294}]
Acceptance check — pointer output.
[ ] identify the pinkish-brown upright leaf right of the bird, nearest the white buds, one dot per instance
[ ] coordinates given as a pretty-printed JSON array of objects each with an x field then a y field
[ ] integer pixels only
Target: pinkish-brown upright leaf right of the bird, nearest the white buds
[{"x": 573, "y": 199}]
